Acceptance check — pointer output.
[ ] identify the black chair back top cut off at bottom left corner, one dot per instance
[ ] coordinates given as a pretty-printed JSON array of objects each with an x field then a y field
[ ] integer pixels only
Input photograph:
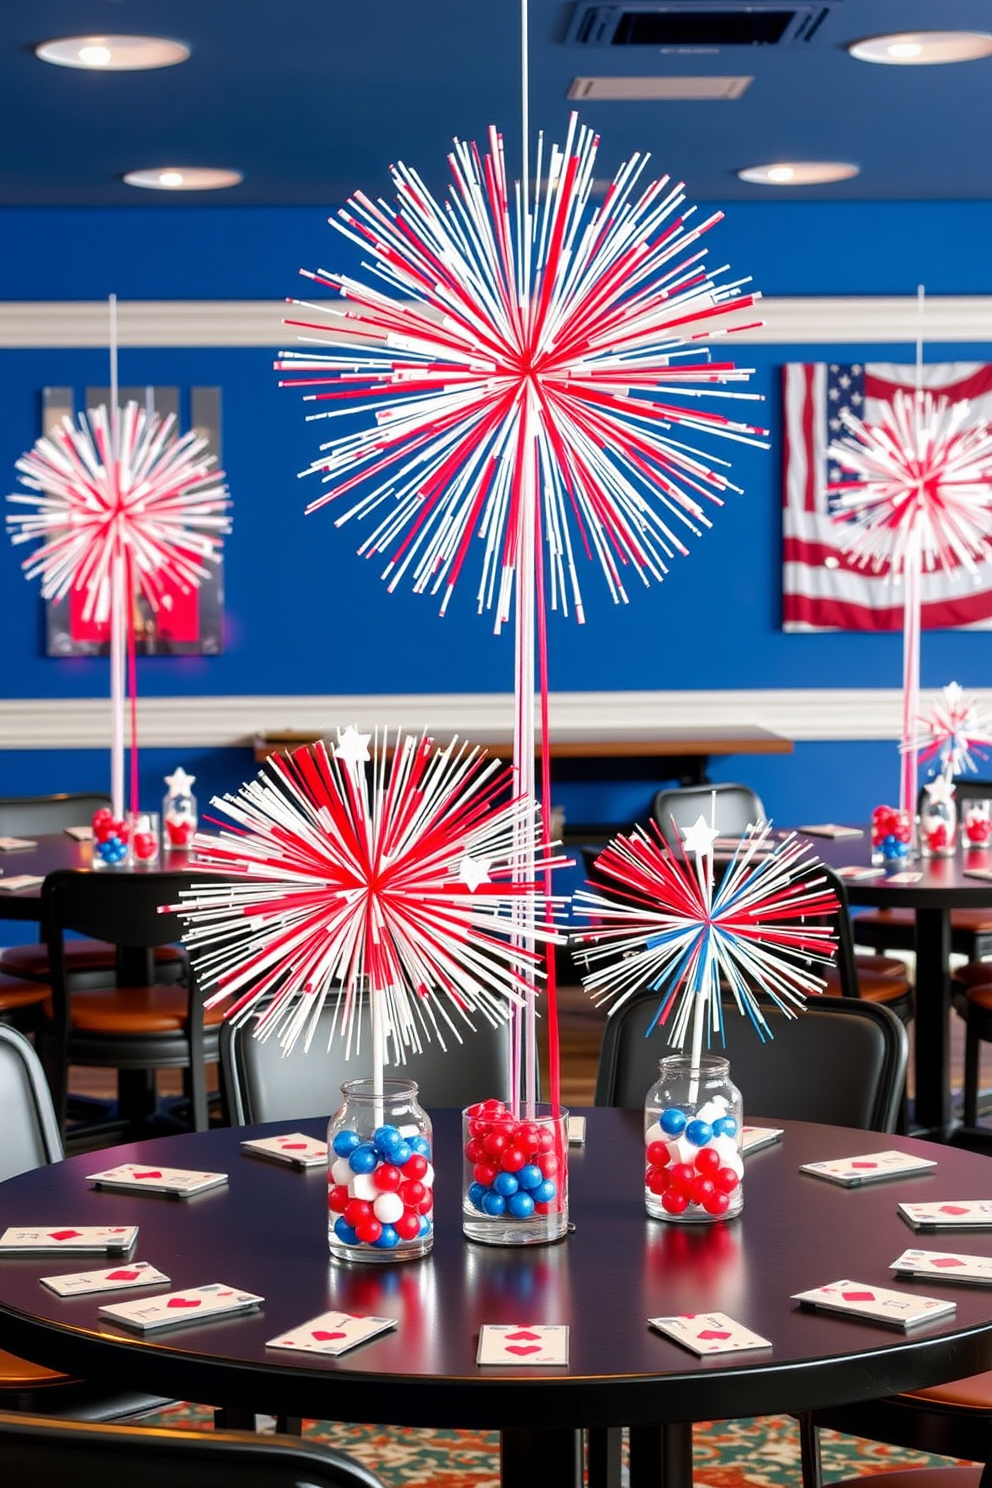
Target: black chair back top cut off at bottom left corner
[{"x": 41, "y": 1450}]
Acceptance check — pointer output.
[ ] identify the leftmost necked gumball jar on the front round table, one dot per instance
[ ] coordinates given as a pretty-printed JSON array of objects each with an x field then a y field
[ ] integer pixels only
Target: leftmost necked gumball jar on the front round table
[{"x": 380, "y": 1175}]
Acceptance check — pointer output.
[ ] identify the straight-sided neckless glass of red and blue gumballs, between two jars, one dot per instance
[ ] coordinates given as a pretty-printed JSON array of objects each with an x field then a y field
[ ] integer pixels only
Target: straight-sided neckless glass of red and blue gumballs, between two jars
[{"x": 515, "y": 1188}]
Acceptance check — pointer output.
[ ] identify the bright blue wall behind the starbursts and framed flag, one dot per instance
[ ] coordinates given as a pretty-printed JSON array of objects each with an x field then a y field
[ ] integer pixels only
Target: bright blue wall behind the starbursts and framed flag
[{"x": 306, "y": 617}]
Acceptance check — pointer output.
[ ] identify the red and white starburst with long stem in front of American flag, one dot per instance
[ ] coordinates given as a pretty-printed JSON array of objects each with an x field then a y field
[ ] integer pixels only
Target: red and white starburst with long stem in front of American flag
[{"x": 920, "y": 499}]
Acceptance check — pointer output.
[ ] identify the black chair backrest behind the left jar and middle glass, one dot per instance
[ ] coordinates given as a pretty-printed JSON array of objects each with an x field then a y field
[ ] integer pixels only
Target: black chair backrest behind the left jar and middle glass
[{"x": 263, "y": 1084}]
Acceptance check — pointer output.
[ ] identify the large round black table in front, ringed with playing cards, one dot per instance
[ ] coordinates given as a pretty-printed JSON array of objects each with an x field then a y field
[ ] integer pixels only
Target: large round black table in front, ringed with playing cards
[{"x": 267, "y": 1233}]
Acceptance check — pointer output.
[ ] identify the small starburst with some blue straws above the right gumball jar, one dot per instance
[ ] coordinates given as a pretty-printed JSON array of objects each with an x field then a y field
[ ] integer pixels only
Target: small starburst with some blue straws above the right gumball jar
[{"x": 762, "y": 929}]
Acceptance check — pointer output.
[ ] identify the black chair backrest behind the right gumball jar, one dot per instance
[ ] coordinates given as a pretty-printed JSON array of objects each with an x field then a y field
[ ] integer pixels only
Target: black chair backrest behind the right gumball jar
[{"x": 843, "y": 1062}]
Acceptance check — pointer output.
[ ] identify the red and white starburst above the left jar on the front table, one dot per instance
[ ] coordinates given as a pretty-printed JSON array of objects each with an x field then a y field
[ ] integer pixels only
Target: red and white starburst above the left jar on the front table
[{"x": 384, "y": 870}]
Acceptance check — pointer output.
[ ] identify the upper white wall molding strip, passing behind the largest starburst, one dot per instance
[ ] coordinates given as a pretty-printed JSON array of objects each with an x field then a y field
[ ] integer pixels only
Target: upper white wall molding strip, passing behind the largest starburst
[{"x": 857, "y": 321}]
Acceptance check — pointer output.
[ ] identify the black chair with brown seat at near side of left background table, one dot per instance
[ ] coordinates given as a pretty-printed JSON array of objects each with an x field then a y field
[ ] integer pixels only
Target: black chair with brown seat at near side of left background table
[{"x": 133, "y": 1023}]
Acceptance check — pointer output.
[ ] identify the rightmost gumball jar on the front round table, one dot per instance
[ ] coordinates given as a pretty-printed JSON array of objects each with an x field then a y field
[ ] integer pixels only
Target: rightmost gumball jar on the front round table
[{"x": 694, "y": 1170}]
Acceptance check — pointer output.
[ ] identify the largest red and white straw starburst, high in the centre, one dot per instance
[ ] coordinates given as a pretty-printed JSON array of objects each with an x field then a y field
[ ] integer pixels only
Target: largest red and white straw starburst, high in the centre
[{"x": 509, "y": 341}]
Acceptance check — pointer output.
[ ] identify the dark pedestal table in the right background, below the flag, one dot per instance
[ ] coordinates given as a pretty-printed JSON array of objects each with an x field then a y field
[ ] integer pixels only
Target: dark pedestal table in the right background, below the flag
[{"x": 944, "y": 888}]
